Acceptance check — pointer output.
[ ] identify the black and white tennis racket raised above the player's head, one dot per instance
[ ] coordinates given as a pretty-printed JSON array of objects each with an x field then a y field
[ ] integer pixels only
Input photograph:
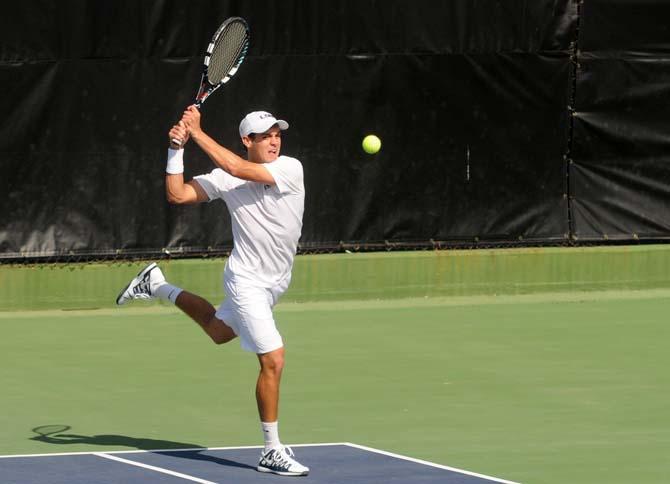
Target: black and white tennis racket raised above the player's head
[{"x": 225, "y": 53}]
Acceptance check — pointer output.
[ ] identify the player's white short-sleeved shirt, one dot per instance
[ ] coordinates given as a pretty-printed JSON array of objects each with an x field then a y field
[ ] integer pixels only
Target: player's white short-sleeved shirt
[{"x": 266, "y": 220}]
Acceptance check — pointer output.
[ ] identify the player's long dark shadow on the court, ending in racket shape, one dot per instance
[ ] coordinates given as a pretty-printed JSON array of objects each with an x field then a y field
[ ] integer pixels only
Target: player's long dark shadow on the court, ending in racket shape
[{"x": 54, "y": 434}]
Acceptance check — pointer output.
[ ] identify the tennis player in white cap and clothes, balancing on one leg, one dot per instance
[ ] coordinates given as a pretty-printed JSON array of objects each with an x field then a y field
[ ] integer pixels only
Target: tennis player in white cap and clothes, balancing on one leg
[{"x": 265, "y": 197}]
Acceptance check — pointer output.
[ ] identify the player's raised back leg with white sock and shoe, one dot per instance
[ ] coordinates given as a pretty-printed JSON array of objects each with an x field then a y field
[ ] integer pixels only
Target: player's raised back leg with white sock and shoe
[{"x": 150, "y": 283}]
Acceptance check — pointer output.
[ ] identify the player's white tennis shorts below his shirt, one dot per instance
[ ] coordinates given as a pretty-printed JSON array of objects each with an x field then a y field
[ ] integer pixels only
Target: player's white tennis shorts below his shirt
[{"x": 247, "y": 309}]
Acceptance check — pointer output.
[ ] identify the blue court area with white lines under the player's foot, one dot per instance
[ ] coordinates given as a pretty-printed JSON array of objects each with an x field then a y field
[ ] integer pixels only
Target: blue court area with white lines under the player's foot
[{"x": 340, "y": 463}]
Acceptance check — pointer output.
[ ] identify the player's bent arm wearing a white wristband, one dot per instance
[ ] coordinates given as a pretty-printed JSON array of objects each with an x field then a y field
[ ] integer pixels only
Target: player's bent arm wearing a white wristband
[{"x": 176, "y": 191}]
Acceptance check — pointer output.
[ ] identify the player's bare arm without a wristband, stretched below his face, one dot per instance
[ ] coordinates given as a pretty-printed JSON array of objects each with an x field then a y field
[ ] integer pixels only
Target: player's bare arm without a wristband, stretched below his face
[{"x": 223, "y": 157}]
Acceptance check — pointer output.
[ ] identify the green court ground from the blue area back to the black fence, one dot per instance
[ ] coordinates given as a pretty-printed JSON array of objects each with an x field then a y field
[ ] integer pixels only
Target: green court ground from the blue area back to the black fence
[{"x": 528, "y": 385}]
